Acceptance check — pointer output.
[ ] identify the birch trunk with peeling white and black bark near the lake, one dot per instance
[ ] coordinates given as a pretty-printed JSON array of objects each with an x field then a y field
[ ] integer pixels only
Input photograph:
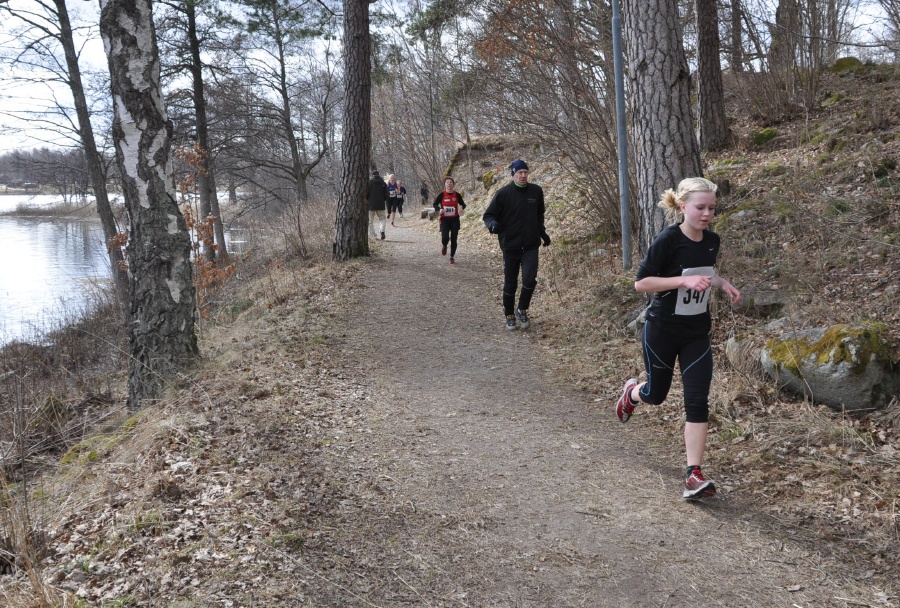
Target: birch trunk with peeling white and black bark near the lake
[{"x": 161, "y": 338}]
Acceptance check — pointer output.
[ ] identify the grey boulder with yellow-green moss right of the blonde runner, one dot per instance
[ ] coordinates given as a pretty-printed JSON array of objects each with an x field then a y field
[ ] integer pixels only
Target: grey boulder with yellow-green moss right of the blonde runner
[{"x": 847, "y": 367}]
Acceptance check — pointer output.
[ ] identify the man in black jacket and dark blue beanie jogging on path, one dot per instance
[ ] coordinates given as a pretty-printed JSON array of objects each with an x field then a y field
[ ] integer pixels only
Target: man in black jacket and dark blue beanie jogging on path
[{"x": 516, "y": 216}]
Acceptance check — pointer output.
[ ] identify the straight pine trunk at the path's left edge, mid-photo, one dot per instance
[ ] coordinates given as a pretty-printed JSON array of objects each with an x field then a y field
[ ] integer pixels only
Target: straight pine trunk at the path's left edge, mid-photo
[{"x": 351, "y": 226}]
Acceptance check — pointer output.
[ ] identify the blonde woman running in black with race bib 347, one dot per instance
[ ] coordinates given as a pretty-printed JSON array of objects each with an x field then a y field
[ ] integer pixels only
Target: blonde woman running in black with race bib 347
[{"x": 679, "y": 270}]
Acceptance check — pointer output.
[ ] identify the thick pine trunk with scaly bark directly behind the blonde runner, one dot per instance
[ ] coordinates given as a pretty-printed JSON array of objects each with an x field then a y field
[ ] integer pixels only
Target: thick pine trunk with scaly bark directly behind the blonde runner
[{"x": 665, "y": 148}]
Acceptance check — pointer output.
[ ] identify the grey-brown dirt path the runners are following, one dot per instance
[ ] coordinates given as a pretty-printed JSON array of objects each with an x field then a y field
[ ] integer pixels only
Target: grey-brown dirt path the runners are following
[{"x": 491, "y": 484}]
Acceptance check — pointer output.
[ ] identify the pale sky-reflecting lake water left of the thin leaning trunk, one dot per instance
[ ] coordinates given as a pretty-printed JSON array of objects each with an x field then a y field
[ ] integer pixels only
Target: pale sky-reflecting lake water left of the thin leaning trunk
[{"x": 47, "y": 268}]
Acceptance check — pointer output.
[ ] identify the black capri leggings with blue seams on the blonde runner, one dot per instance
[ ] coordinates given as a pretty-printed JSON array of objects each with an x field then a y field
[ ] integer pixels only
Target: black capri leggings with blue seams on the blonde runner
[{"x": 694, "y": 355}]
